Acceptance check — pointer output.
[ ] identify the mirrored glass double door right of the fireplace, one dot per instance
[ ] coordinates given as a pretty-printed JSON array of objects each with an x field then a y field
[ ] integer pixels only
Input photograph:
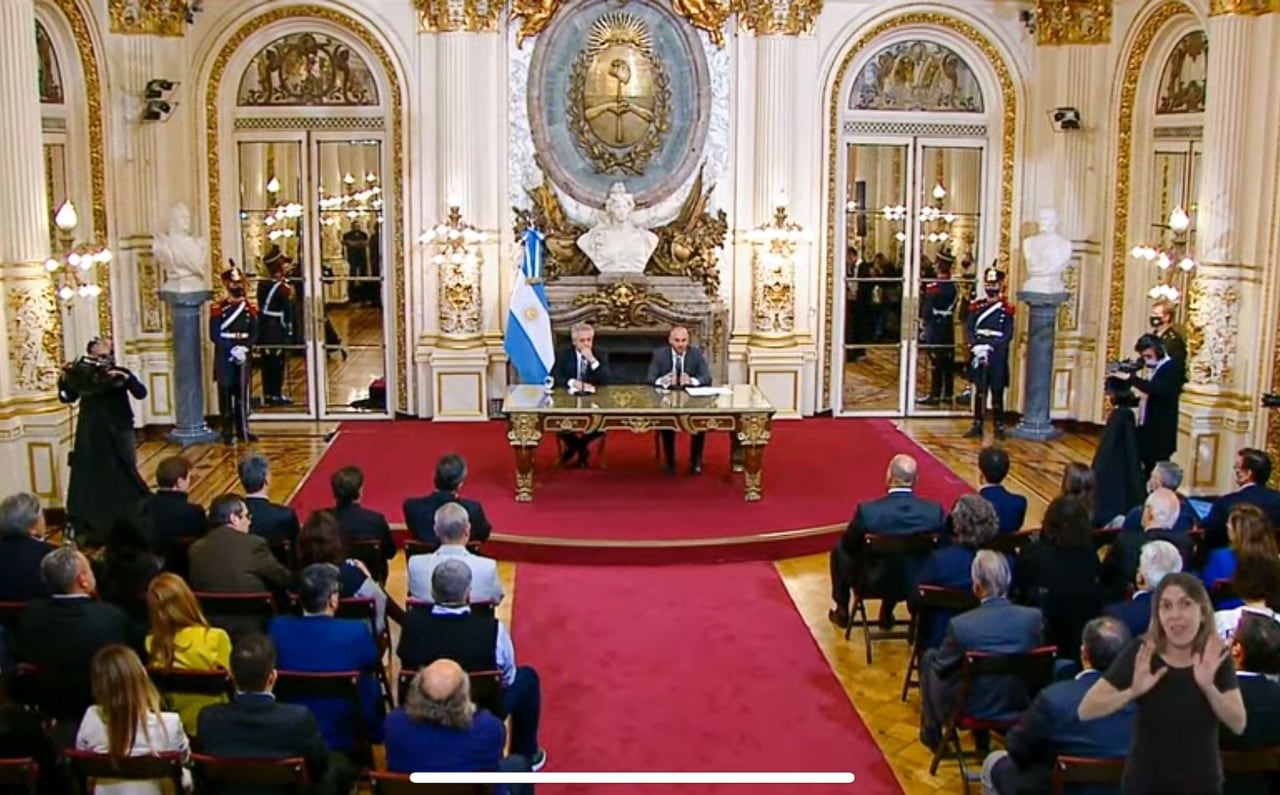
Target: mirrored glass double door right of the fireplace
[{"x": 912, "y": 243}]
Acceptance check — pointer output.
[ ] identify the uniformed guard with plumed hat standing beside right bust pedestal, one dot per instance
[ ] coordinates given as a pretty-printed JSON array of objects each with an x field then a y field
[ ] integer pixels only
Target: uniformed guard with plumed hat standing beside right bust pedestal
[{"x": 989, "y": 331}]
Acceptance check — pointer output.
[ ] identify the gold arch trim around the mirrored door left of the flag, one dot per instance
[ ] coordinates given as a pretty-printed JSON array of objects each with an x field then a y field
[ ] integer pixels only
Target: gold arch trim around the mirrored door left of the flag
[{"x": 213, "y": 152}]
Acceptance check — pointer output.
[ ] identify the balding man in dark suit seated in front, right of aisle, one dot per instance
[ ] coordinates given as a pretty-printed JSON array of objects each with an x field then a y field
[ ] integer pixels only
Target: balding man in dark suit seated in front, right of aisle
[{"x": 899, "y": 513}]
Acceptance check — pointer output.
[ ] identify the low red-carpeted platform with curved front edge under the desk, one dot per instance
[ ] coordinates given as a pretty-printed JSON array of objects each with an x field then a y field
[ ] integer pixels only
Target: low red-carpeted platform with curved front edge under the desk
[{"x": 629, "y": 511}]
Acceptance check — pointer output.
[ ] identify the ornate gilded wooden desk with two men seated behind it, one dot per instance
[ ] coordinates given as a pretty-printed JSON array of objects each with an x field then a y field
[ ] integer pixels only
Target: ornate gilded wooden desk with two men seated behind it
[{"x": 744, "y": 414}]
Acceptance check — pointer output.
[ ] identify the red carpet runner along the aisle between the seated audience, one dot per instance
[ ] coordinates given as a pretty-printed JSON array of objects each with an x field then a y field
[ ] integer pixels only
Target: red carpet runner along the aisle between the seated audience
[{"x": 687, "y": 669}]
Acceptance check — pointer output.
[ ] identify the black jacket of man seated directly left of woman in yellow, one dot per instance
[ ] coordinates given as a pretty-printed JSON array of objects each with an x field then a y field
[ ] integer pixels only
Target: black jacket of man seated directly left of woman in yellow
[{"x": 61, "y": 637}]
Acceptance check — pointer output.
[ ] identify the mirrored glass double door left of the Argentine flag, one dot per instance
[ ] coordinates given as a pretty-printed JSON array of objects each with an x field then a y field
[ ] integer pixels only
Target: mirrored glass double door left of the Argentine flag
[{"x": 312, "y": 218}]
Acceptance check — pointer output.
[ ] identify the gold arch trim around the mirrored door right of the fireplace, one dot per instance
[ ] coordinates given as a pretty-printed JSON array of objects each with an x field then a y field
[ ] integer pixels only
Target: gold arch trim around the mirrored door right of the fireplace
[{"x": 836, "y": 194}]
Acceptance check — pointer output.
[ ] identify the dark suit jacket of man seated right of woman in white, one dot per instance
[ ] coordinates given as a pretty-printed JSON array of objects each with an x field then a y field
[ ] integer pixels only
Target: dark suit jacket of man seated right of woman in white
[{"x": 257, "y": 725}]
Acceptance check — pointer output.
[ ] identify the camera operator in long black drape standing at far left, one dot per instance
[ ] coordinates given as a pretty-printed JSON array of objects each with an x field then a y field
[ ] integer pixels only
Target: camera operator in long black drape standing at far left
[{"x": 106, "y": 485}]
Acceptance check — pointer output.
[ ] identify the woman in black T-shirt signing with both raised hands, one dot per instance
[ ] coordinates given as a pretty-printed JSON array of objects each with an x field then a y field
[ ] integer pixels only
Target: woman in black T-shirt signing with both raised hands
[{"x": 1183, "y": 683}]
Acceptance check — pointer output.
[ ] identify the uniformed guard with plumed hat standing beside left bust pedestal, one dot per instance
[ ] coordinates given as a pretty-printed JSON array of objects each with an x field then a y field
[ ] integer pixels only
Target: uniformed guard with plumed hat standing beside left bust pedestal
[{"x": 234, "y": 328}]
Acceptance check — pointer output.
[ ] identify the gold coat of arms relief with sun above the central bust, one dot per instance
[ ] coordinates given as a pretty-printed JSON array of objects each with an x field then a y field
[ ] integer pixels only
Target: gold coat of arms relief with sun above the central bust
[{"x": 619, "y": 97}]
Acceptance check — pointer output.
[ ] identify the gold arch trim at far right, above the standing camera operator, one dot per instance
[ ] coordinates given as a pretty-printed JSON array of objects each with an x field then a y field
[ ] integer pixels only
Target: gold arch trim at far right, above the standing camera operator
[{"x": 1133, "y": 65}]
